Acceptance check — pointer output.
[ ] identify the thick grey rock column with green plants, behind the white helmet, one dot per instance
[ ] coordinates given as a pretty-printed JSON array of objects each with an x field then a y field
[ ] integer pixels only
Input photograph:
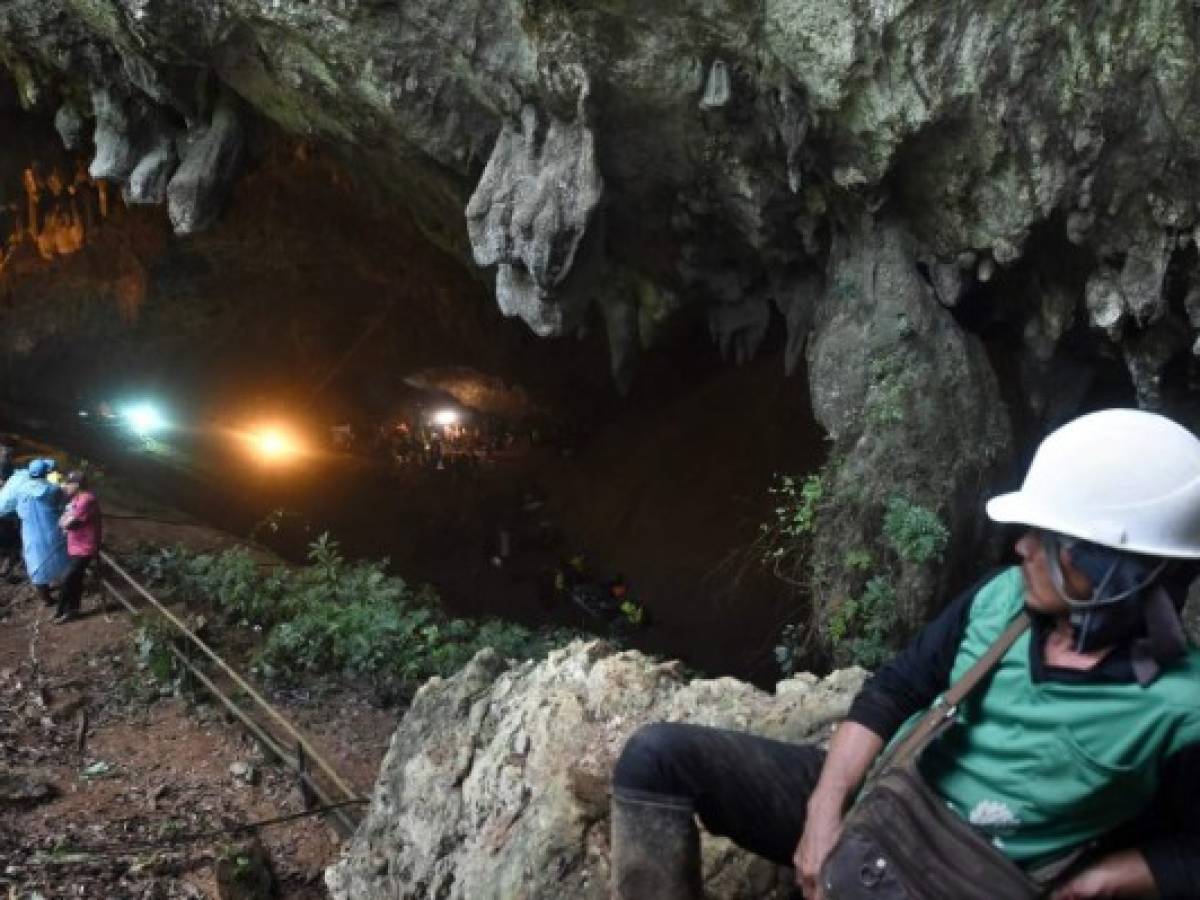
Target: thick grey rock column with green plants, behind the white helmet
[{"x": 913, "y": 407}]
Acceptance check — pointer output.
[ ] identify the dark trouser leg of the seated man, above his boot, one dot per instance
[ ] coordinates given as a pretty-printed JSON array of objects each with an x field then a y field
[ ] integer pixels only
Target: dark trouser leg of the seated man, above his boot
[{"x": 748, "y": 789}]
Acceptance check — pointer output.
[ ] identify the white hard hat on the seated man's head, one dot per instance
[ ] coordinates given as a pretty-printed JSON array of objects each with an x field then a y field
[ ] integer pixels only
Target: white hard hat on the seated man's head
[{"x": 1120, "y": 478}]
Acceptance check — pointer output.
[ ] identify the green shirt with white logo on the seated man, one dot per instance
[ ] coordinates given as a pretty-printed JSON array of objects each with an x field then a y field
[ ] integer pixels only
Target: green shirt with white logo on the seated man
[{"x": 1045, "y": 767}]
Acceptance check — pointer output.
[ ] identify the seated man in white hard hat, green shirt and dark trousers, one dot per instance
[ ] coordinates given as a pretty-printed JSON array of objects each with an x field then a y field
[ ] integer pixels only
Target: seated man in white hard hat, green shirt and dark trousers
[{"x": 1078, "y": 758}]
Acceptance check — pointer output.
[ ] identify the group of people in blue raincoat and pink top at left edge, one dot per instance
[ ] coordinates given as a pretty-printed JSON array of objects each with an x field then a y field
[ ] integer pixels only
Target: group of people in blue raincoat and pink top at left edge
[{"x": 51, "y": 525}]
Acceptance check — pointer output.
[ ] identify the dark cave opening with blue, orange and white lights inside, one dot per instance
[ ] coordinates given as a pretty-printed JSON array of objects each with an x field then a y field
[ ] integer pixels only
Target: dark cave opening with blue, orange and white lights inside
[{"x": 436, "y": 433}]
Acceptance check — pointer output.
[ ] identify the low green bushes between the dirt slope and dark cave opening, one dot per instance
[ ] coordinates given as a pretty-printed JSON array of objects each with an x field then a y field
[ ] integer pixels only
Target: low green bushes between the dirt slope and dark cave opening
[{"x": 334, "y": 616}]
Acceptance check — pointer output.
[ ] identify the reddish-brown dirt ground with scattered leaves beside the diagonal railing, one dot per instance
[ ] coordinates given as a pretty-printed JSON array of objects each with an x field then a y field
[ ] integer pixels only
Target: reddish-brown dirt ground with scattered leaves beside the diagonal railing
[{"x": 153, "y": 766}]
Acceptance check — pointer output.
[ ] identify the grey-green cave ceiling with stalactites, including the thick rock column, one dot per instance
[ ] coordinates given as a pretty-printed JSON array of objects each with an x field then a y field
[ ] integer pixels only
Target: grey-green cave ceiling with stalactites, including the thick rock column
[{"x": 872, "y": 175}]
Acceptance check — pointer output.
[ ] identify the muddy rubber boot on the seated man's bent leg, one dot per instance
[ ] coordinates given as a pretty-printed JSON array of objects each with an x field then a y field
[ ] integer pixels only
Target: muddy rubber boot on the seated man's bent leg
[{"x": 656, "y": 848}]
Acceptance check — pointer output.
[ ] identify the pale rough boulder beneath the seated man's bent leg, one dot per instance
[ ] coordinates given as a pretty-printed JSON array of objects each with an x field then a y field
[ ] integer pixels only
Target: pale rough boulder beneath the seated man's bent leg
[{"x": 496, "y": 783}]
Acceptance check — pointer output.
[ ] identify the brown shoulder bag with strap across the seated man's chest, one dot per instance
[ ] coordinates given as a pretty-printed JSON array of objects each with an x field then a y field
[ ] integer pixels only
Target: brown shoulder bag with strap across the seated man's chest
[{"x": 901, "y": 842}]
